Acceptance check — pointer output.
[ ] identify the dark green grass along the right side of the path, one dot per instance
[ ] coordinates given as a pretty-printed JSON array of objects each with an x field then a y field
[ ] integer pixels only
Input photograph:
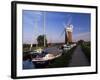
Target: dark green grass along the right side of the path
[{"x": 87, "y": 51}]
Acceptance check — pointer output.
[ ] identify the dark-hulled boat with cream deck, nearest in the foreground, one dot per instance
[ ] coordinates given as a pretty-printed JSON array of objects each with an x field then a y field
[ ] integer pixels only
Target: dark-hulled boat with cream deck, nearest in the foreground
[{"x": 45, "y": 57}]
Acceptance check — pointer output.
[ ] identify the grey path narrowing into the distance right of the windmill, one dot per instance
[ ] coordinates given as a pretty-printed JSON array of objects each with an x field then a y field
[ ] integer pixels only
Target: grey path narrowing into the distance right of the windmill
[{"x": 78, "y": 58}]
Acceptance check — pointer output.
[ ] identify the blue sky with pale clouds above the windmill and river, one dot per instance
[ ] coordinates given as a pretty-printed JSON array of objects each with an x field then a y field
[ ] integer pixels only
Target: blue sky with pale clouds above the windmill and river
[{"x": 33, "y": 25}]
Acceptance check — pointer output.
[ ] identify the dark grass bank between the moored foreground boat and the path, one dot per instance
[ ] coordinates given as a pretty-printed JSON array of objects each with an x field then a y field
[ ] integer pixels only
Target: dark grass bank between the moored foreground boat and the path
[{"x": 63, "y": 60}]
